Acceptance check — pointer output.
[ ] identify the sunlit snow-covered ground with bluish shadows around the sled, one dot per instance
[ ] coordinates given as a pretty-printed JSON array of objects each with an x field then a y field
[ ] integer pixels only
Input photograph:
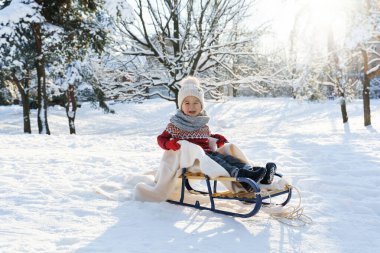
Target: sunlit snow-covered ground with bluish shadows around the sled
[{"x": 48, "y": 199}]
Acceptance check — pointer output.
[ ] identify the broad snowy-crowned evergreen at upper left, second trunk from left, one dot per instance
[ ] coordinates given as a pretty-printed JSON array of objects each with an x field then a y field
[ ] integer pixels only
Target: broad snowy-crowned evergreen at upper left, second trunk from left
[{"x": 62, "y": 31}]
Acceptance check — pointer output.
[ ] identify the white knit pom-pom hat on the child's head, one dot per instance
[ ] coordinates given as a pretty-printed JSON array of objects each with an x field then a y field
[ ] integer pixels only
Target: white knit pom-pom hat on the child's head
[{"x": 190, "y": 86}]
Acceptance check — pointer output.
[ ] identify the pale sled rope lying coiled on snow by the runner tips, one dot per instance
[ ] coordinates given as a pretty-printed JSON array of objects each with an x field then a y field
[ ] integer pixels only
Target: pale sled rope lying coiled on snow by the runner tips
[{"x": 290, "y": 215}]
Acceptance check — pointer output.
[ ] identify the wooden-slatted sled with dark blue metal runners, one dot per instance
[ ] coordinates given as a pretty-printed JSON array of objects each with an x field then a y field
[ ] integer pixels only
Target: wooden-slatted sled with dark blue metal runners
[{"x": 253, "y": 200}]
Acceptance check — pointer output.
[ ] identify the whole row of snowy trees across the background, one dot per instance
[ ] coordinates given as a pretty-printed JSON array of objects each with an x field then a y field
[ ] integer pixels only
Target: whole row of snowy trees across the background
[{"x": 142, "y": 48}]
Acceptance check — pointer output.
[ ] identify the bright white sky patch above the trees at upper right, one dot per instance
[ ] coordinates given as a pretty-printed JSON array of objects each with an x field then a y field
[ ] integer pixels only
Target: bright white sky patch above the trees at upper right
[{"x": 313, "y": 18}]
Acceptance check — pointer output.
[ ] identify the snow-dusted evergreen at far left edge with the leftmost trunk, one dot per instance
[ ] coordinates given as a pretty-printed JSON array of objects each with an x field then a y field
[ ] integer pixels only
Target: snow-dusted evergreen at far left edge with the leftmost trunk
[{"x": 17, "y": 48}]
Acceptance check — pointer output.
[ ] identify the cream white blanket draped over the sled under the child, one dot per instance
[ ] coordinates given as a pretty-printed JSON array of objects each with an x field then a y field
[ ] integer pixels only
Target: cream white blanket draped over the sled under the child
[{"x": 193, "y": 158}]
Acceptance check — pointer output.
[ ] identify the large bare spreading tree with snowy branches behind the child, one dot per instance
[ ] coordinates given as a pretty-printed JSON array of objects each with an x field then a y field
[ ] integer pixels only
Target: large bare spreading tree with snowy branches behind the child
[{"x": 170, "y": 39}]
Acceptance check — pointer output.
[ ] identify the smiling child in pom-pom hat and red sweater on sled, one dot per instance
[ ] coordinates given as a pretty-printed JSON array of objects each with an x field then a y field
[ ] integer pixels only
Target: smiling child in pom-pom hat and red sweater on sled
[{"x": 190, "y": 123}]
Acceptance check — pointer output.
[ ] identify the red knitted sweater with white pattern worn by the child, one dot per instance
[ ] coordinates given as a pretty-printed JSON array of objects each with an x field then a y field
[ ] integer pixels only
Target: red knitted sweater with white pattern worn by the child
[{"x": 199, "y": 137}]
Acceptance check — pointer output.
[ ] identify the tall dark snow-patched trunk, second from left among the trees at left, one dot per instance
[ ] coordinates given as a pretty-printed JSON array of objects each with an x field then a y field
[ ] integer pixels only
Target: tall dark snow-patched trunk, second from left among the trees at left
[{"x": 43, "y": 126}]
